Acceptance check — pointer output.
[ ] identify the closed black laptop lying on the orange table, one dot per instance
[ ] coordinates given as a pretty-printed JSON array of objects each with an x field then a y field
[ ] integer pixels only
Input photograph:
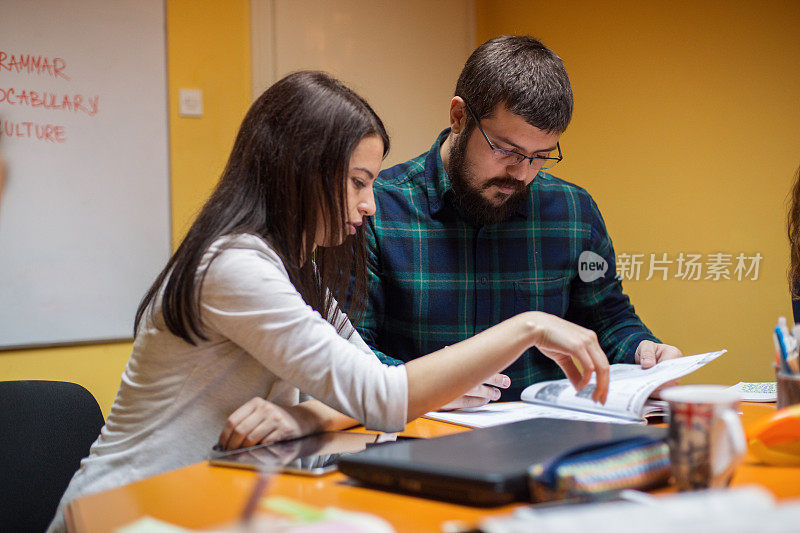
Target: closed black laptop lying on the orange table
[{"x": 481, "y": 467}]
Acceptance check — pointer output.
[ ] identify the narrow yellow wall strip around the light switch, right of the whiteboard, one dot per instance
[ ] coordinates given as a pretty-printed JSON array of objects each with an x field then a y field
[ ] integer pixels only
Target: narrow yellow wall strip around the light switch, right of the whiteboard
[{"x": 208, "y": 48}]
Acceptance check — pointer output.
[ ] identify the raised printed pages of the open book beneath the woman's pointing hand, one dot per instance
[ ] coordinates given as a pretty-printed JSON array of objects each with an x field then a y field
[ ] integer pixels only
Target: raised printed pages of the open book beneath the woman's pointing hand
[{"x": 629, "y": 387}]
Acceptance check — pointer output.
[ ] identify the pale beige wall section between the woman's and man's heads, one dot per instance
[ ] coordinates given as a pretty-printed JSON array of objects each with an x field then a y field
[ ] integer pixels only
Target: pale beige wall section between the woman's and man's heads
[{"x": 404, "y": 57}]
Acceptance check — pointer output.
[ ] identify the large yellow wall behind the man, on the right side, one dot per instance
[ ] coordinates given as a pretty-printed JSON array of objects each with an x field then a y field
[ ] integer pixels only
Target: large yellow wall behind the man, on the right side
[{"x": 687, "y": 132}]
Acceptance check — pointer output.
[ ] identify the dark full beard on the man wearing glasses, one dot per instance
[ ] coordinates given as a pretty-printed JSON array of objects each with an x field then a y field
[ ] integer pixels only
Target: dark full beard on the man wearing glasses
[{"x": 467, "y": 197}]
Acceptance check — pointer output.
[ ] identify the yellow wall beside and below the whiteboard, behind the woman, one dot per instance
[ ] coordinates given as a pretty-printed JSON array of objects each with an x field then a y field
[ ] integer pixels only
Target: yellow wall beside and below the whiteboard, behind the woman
[{"x": 208, "y": 48}]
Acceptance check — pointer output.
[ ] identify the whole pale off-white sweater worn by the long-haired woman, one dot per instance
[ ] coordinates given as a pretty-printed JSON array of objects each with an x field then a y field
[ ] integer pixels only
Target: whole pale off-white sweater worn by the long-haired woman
[{"x": 263, "y": 340}]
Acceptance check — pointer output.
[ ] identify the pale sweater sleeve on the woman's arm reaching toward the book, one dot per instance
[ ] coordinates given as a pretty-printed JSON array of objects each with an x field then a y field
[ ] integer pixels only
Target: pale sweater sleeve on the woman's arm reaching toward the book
[{"x": 248, "y": 298}]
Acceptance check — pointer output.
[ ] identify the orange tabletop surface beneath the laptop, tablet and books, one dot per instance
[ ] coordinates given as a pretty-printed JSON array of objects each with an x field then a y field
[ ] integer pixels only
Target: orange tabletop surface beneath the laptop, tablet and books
[{"x": 203, "y": 496}]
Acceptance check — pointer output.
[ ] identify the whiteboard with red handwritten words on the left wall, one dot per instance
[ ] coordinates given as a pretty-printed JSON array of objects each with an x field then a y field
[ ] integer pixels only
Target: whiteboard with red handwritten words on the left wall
[{"x": 84, "y": 211}]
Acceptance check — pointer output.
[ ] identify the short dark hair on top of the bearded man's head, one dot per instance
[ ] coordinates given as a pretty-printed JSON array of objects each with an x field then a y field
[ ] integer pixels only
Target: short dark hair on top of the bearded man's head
[{"x": 524, "y": 75}]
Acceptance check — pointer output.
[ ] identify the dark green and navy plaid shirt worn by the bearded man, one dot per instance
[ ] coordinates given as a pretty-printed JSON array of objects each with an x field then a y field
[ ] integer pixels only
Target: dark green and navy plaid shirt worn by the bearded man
[{"x": 434, "y": 279}]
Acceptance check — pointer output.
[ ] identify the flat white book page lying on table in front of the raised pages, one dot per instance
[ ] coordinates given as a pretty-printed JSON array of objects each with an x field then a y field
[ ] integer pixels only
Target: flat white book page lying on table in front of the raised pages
[{"x": 494, "y": 414}]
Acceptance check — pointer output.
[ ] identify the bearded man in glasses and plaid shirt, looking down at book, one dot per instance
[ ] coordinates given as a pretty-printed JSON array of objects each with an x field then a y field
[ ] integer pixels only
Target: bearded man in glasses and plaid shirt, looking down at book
[{"x": 477, "y": 230}]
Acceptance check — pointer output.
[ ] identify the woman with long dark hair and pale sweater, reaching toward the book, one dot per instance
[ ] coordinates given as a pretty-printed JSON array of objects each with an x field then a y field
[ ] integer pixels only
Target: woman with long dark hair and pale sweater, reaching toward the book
[{"x": 247, "y": 307}]
